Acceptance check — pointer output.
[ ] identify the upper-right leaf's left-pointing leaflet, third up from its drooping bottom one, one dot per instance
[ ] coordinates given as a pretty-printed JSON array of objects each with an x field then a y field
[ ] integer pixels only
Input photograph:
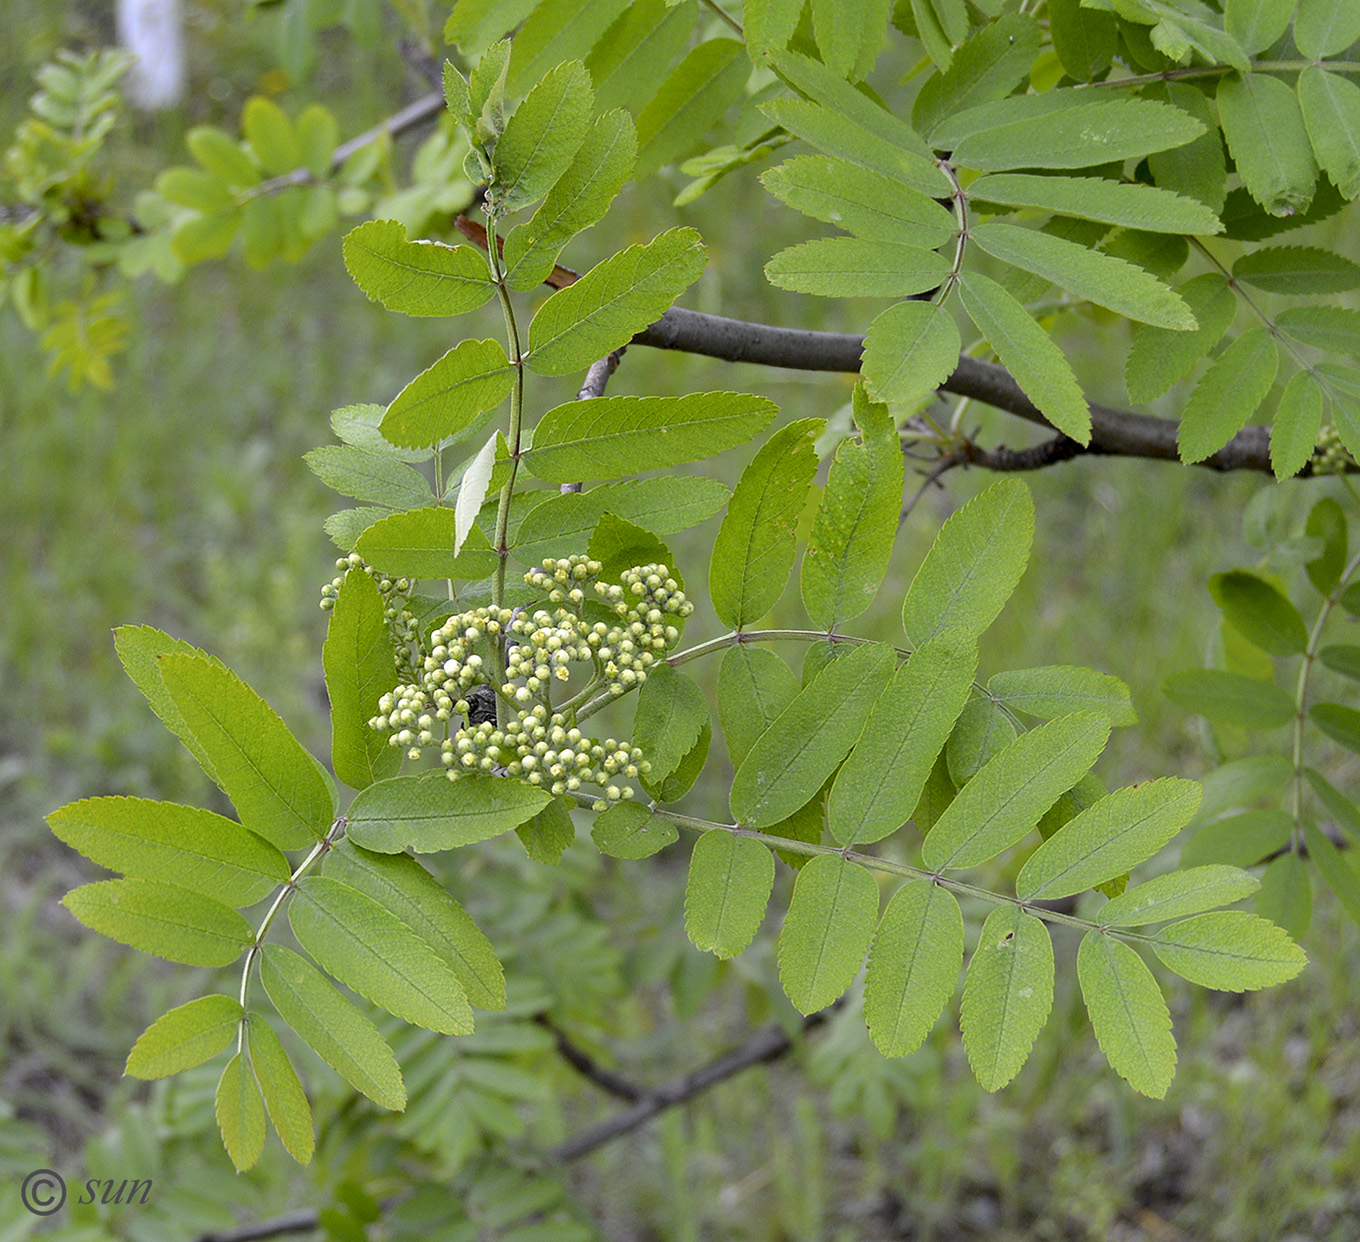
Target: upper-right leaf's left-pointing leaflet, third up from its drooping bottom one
[{"x": 860, "y": 201}]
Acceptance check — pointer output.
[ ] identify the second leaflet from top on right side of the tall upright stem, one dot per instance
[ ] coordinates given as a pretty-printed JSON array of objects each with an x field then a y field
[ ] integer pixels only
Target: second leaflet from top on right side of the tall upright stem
[{"x": 580, "y": 199}]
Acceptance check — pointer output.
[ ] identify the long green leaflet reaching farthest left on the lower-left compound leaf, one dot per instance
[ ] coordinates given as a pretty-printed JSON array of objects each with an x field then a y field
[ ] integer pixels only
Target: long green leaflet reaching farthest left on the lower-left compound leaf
[{"x": 182, "y": 845}]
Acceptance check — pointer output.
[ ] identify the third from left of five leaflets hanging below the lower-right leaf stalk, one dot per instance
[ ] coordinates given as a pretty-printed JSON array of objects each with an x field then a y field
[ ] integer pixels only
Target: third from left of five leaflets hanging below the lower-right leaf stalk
[{"x": 913, "y": 967}]
